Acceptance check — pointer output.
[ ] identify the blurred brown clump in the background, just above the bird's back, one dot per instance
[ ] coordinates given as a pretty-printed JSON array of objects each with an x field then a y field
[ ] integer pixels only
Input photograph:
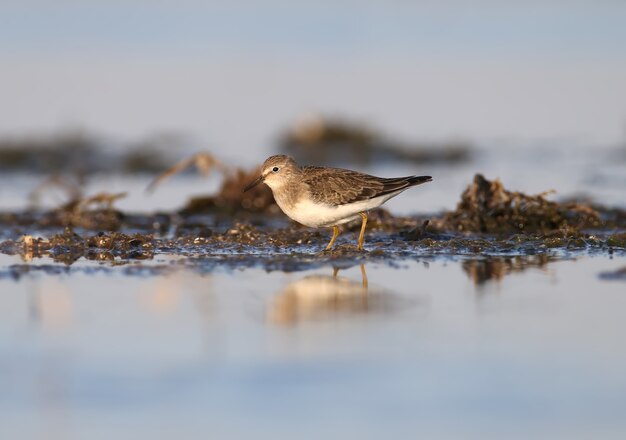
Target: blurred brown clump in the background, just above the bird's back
[{"x": 323, "y": 140}]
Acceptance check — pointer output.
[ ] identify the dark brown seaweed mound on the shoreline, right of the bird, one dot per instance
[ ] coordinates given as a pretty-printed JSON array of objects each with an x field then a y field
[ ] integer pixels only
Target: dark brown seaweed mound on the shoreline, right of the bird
[{"x": 487, "y": 207}]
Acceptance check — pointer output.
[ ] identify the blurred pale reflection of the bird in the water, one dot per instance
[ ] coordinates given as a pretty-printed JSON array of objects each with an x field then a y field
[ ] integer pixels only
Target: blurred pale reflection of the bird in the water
[{"x": 320, "y": 296}]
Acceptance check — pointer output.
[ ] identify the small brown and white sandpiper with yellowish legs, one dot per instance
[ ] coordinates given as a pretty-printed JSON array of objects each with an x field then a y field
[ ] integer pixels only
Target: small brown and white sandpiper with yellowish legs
[{"x": 324, "y": 197}]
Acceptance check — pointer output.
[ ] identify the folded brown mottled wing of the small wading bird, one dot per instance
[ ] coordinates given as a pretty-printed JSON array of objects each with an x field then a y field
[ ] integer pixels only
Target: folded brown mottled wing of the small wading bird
[{"x": 335, "y": 186}]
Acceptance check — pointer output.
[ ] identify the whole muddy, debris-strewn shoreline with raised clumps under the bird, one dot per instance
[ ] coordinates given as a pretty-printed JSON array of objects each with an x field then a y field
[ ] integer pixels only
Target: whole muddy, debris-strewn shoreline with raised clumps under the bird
[{"x": 488, "y": 222}]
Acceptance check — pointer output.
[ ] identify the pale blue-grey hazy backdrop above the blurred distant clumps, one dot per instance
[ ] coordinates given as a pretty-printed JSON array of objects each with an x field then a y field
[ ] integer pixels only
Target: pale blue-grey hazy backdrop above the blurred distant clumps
[{"x": 234, "y": 75}]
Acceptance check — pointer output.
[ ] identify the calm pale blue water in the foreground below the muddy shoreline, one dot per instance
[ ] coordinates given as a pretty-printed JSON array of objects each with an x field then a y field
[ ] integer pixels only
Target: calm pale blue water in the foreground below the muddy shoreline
[{"x": 451, "y": 347}]
